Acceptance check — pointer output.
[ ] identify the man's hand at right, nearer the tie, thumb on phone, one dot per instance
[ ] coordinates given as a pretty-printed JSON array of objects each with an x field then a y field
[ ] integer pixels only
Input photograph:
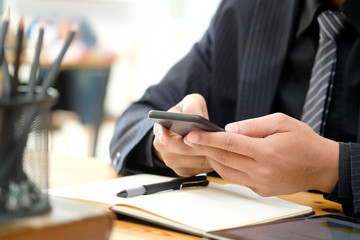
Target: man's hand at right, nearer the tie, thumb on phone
[{"x": 272, "y": 155}]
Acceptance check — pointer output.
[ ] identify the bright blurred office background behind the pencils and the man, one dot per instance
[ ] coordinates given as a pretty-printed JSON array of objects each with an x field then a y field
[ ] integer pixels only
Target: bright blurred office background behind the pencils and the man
[{"x": 123, "y": 46}]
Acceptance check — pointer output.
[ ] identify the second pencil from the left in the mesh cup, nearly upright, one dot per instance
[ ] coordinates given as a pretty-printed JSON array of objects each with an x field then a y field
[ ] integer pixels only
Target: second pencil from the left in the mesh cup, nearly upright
[{"x": 19, "y": 41}]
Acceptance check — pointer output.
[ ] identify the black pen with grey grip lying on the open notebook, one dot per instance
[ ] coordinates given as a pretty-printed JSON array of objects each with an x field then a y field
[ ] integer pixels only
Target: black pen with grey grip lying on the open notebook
[{"x": 195, "y": 181}]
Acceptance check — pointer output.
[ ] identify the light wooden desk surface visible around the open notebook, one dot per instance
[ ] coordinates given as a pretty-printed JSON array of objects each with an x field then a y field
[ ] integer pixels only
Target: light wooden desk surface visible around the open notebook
[{"x": 64, "y": 171}]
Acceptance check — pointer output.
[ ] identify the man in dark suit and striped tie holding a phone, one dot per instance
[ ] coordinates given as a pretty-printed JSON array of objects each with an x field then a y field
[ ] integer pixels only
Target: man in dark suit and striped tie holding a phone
[{"x": 283, "y": 77}]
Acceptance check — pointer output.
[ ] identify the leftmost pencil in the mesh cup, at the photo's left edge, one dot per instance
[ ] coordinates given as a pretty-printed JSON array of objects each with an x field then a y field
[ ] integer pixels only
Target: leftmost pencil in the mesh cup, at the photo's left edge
[{"x": 6, "y": 77}]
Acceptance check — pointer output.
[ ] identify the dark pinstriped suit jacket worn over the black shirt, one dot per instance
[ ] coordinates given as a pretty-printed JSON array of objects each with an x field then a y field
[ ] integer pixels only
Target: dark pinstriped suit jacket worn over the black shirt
[{"x": 236, "y": 66}]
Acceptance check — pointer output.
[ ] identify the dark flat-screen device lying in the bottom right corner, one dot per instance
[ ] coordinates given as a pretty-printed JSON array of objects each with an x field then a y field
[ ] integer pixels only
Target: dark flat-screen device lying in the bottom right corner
[{"x": 335, "y": 227}]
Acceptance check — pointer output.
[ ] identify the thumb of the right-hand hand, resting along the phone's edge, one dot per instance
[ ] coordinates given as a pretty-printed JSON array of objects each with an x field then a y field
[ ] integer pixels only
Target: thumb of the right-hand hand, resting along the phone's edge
[{"x": 260, "y": 127}]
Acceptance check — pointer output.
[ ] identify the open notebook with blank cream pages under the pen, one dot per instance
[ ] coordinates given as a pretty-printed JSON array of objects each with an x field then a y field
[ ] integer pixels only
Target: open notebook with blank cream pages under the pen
[{"x": 193, "y": 211}]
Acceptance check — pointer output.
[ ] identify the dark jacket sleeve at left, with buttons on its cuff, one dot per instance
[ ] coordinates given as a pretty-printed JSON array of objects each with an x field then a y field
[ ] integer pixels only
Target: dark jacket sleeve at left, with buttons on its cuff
[{"x": 133, "y": 129}]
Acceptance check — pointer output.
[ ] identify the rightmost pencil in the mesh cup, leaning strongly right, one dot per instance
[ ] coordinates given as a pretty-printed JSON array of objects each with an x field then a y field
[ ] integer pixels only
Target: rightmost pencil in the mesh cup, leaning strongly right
[{"x": 51, "y": 74}]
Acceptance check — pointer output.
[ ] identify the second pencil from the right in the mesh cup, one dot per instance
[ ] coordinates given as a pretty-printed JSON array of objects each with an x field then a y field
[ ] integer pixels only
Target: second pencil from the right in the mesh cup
[{"x": 35, "y": 65}]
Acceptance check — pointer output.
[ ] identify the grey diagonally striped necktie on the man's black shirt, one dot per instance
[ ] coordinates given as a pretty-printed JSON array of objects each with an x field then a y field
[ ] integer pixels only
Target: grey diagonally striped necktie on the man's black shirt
[{"x": 318, "y": 96}]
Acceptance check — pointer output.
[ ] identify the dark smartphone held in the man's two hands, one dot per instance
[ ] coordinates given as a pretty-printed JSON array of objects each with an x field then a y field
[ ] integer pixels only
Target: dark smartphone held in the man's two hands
[{"x": 182, "y": 123}]
